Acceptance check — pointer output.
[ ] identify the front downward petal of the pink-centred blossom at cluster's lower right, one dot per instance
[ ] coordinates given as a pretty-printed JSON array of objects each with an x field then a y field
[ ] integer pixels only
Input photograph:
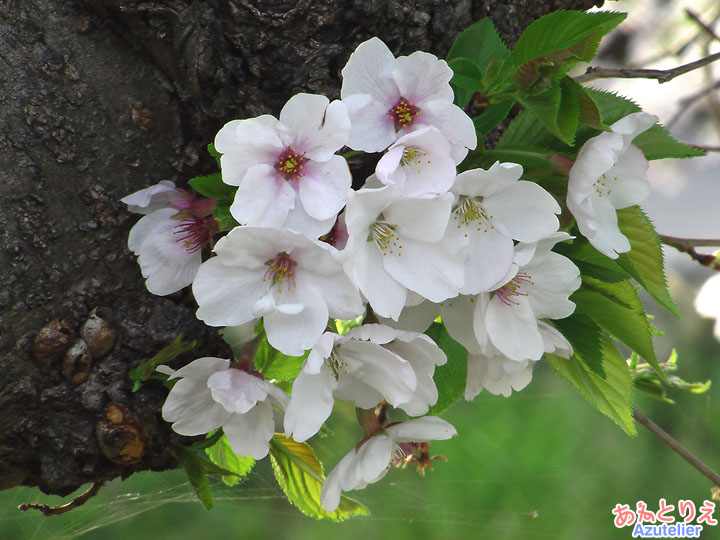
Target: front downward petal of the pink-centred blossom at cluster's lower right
[{"x": 513, "y": 329}]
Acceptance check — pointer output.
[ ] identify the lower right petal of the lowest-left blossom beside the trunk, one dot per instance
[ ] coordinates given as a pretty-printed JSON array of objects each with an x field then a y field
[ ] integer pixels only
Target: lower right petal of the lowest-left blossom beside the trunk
[{"x": 249, "y": 434}]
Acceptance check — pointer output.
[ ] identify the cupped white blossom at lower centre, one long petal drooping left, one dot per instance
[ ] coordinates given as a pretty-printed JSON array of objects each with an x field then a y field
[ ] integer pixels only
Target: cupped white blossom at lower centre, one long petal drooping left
[{"x": 370, "y": 363}]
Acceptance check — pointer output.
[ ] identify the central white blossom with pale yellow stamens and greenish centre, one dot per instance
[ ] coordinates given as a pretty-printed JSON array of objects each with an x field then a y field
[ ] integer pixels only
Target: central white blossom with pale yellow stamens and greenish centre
[{"x": 394, "y": 246}]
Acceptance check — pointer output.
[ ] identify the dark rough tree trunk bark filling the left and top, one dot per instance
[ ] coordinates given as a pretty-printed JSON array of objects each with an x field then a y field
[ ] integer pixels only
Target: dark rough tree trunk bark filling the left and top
[{"x": 100, "y": 98}]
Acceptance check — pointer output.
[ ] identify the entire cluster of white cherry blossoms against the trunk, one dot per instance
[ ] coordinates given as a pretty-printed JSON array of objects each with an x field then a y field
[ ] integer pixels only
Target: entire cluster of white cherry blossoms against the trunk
[{"x": 417, "y": 241}]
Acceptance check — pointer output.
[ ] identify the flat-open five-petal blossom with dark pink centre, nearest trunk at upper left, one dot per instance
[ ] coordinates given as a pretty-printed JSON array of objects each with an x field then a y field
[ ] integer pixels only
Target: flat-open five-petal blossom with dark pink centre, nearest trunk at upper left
[{"x": 286, "y": 170}]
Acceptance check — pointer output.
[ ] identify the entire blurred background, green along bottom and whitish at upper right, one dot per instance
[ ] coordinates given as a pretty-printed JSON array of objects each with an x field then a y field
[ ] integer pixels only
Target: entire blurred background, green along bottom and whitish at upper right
[{"x": 540, "y": 464}]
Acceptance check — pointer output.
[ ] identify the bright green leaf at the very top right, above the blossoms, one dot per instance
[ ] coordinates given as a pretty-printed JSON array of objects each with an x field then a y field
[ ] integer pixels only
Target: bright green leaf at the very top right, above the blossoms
[{"x": 561, "y": 30}]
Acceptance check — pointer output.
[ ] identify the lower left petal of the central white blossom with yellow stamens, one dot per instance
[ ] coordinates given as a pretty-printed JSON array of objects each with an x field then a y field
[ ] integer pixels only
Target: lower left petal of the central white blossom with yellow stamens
[{"x": 385, "y": 294}]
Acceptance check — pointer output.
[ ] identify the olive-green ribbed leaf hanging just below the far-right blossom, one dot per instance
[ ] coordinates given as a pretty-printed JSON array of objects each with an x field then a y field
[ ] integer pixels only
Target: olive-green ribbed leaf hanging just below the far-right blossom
[{"x": 644, "y": 262}]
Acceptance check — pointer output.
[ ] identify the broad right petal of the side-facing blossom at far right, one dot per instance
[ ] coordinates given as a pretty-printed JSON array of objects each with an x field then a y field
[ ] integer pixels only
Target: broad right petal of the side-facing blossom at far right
[{"x": 626, "y": 182}]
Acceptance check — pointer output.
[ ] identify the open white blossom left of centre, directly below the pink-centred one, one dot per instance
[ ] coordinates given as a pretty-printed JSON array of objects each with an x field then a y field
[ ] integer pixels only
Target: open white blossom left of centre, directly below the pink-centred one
[{"x": 291, "y": 281}]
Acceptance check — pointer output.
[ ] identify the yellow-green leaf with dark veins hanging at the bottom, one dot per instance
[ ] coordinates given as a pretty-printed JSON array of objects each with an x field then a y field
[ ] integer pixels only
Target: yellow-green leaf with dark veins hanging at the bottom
[{"x": 301, "y": 477}]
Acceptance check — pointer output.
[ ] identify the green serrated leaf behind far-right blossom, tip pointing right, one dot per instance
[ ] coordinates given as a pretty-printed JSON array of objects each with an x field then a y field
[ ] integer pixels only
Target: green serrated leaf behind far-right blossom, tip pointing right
[{"x": 656, "y": 142}]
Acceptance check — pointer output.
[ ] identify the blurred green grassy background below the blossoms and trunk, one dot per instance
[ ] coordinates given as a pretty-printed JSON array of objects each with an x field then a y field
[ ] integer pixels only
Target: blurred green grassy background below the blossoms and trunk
[{"x": 540, "y": 464}]
